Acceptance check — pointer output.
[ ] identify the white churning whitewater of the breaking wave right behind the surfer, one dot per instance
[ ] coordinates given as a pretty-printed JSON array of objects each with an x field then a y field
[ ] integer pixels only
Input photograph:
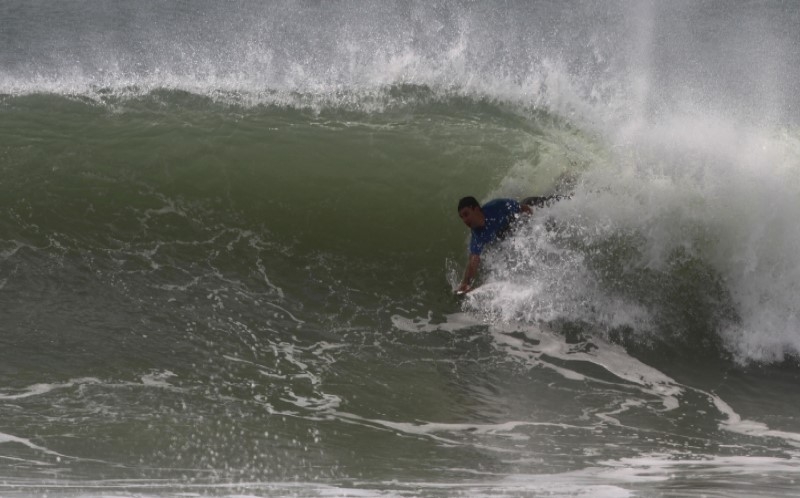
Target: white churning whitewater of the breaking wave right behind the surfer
[{"x": 691, "y": 193}]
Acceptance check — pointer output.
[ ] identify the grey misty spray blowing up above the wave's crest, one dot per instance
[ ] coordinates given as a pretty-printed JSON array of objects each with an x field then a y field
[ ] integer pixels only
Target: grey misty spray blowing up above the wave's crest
[{"x": 613, "y": 60}]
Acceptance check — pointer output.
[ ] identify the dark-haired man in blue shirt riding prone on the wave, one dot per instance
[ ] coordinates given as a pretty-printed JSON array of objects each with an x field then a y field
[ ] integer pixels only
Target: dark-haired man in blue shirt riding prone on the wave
[{"x": 489, "y": 223}]
